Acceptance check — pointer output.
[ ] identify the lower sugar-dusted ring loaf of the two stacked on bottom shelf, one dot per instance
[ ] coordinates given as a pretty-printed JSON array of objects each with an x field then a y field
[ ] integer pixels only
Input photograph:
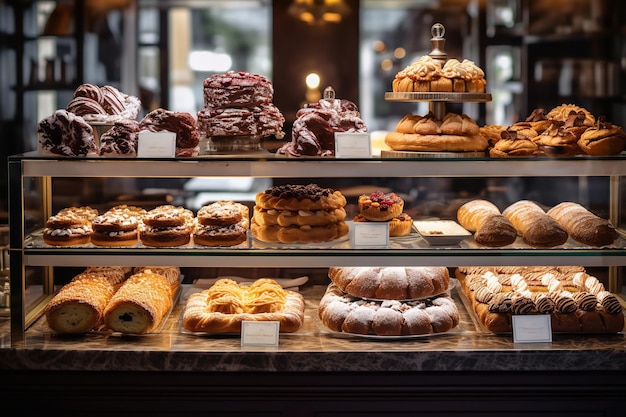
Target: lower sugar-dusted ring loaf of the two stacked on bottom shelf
[{"x": 344, "y": 313}]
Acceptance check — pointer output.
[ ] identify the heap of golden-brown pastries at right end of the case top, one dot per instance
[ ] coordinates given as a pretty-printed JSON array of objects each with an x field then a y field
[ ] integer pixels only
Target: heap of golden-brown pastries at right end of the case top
[{"x": 566, "y": 130}]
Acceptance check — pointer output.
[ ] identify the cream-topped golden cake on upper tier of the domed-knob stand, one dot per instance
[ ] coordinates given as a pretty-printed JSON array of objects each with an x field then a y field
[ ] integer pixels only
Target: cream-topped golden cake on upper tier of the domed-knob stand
[{"x": 427, "y": 75}]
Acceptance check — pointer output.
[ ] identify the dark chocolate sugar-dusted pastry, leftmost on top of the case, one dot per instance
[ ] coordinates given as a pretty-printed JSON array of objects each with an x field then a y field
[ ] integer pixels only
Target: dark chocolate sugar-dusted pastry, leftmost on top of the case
[{"x": 65, "y": 133}]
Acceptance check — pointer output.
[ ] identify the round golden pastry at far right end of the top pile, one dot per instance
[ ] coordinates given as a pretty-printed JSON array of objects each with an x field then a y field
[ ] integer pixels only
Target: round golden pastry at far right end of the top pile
[{"x": 603, "y": 139}]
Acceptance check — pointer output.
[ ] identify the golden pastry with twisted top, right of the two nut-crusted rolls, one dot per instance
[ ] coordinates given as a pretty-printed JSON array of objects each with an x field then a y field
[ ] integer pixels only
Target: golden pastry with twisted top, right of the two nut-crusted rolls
[{"x": 222, "y": 308}]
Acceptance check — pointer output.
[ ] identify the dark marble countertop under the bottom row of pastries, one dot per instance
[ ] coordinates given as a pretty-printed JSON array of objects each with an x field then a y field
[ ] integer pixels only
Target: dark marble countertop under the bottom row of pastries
[{"x": 313, "y": 348}]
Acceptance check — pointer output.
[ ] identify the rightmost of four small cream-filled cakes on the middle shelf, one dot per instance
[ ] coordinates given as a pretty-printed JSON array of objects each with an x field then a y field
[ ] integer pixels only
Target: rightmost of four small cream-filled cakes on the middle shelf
[{"x": 222, "y": 223}]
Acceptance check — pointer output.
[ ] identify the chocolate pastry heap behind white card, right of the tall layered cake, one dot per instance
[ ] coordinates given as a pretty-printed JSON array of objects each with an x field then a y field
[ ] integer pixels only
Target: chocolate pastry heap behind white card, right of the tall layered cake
[{"x": 313, "y": 132}]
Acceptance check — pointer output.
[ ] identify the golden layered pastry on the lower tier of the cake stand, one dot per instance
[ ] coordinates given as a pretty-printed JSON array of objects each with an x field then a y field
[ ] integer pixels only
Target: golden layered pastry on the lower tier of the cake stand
[{"x": 455, "y": 133}]
